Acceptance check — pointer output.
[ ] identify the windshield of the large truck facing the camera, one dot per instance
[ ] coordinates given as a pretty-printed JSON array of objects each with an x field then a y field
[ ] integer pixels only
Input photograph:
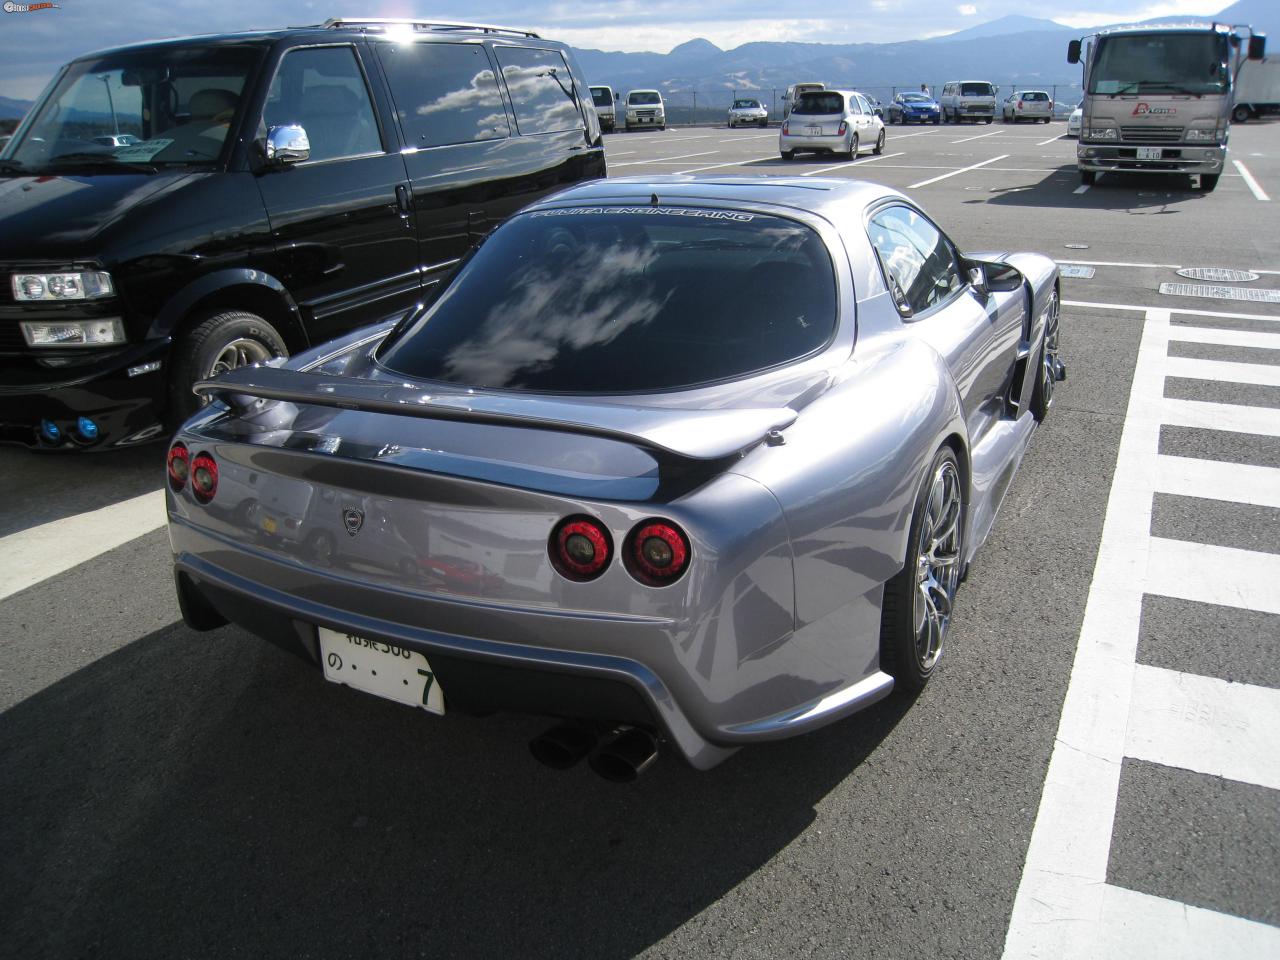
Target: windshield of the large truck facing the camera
[{"x": 1160, "y": 63}]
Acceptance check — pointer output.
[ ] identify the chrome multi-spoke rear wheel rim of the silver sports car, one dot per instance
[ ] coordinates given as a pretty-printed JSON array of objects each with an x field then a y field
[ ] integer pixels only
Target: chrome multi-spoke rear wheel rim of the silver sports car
[{"x": 938, "y": 565}]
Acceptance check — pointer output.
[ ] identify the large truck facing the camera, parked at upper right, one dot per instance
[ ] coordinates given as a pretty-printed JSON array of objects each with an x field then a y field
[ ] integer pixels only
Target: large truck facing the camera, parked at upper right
[{"x": 1160, "y": 99}]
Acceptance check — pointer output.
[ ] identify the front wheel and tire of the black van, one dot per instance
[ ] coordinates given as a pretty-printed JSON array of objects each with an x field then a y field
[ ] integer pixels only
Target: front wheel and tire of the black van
[{"x": 202, "y": 354}]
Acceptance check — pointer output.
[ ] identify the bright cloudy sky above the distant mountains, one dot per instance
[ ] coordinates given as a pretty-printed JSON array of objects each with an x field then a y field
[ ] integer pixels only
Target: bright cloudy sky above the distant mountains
[{"x": 33, "y": 45}]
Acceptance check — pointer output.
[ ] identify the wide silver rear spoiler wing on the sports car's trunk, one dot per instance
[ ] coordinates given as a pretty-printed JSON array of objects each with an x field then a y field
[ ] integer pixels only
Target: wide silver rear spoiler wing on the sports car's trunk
[{"x": 689, "y": 435}]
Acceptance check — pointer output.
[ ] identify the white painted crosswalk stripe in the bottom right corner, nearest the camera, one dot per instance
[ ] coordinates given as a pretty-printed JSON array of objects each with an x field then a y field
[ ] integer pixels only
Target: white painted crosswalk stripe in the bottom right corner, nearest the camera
[{"x": 1144, "y": 927}]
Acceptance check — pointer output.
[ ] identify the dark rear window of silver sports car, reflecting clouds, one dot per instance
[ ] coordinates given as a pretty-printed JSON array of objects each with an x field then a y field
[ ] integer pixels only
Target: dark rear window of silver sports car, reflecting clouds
[{"x": 625, "y": 300}]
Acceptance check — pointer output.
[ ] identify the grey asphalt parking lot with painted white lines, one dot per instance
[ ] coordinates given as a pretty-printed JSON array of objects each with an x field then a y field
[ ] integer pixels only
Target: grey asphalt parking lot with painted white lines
[{"x": 180, "y": 794}]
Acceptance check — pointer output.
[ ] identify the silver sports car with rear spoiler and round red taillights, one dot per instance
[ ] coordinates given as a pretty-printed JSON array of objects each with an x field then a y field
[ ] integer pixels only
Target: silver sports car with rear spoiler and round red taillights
[{"x": 679, "y": 461}]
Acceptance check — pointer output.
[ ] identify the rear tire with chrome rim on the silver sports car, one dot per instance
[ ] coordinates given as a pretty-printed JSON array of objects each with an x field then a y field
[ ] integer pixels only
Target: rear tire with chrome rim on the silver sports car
[{"x": 913, "y": 633}]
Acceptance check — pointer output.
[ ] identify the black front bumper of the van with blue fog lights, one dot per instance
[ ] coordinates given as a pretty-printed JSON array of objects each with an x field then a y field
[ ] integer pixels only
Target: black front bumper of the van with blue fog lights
[{"x": 126, "y": 409}]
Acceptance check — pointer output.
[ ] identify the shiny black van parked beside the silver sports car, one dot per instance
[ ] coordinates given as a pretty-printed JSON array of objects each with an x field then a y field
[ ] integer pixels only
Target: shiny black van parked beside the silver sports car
[{"x": 175, "y": 209}]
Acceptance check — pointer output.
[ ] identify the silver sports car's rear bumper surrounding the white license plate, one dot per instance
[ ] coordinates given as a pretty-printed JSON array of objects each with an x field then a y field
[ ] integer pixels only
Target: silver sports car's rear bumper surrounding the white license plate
[{"x": 495, "y": 657}]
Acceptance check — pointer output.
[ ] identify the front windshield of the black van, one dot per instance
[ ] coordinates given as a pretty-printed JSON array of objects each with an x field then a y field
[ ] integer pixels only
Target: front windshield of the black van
[{"x": 139, "y": 109}]
